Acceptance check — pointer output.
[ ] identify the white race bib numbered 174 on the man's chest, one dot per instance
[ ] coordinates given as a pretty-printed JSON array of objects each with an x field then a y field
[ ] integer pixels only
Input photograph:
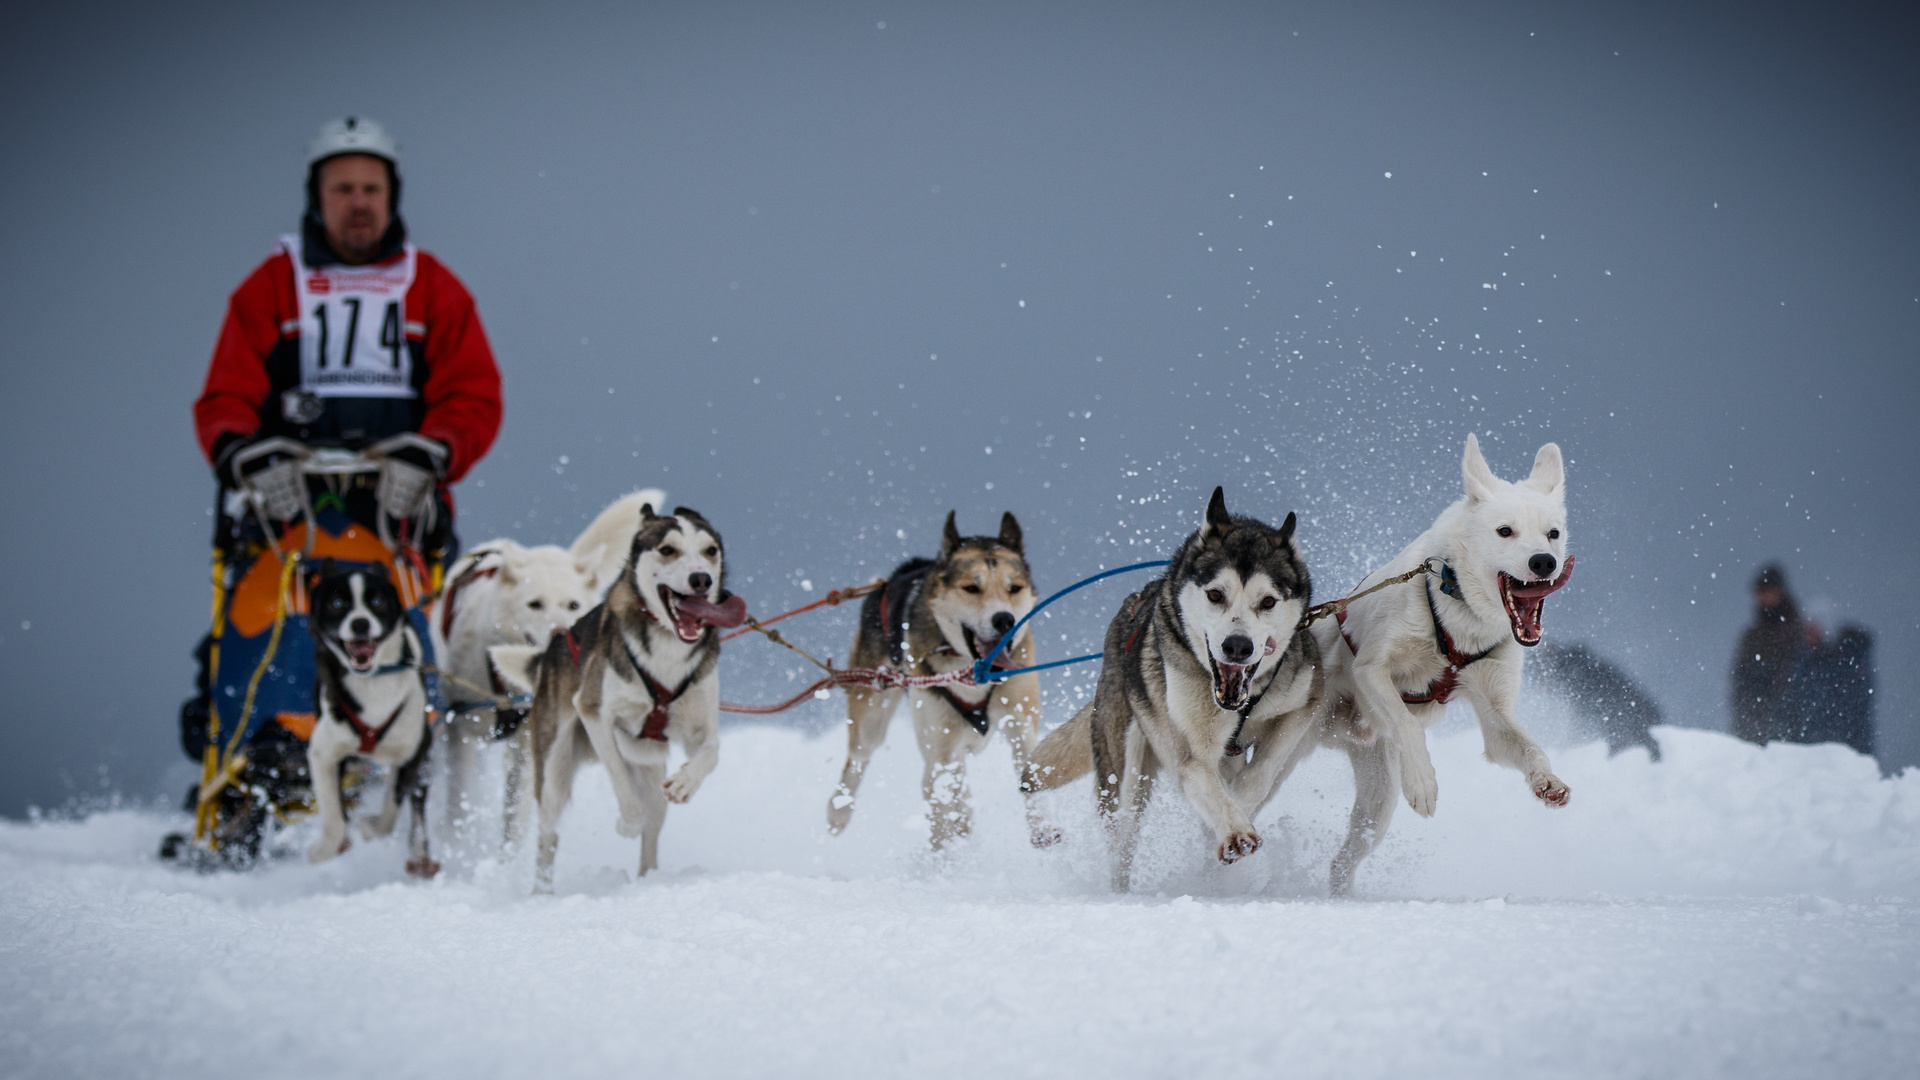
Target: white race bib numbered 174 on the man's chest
[{"x": 354, "y": 328}]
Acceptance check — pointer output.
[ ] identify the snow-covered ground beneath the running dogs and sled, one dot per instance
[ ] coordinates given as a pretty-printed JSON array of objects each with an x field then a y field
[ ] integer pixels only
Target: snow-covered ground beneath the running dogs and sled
[{"x": 1731, "y": 912}]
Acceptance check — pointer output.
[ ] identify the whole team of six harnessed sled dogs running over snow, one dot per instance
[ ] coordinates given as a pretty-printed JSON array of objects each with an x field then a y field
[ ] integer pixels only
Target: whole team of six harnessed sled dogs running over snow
[{"x": 1211, "y": 675}]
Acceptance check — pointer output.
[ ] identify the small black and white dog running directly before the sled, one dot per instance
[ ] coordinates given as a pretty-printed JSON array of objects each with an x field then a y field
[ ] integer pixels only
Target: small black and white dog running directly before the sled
[{"x": 370, "y": 702}]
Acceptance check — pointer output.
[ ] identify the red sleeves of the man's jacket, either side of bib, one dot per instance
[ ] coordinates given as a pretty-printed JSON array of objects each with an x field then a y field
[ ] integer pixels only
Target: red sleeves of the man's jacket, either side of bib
[{"x": 460, "y": 395}]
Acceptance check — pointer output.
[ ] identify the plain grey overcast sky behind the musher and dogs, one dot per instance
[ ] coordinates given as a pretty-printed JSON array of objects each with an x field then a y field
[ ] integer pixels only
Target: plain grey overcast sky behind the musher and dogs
[{"x": 804, "y": 266}]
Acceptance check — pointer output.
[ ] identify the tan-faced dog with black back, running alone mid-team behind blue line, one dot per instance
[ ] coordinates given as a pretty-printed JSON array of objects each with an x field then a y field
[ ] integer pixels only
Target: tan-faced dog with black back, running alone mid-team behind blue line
[{"x": 934, "y": 618}]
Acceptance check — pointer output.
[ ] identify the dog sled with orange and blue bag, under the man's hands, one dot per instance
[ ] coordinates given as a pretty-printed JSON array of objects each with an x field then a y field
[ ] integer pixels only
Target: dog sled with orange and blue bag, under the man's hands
[{"x": 308, "y": 506}]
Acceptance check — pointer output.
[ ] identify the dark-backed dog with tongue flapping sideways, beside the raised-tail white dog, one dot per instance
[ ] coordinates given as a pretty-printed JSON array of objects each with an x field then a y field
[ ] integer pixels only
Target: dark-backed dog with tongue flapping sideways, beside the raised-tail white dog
[{"x": 633, "y": 674}]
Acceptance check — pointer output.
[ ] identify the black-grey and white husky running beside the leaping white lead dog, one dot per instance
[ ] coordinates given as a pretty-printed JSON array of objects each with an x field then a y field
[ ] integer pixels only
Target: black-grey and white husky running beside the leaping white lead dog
[{"x": 1207, "y": 675}]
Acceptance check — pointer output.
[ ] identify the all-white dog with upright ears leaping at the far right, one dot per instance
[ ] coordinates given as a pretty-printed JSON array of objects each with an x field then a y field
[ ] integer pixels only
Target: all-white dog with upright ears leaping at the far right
[{"x": 1399, "y": 656}]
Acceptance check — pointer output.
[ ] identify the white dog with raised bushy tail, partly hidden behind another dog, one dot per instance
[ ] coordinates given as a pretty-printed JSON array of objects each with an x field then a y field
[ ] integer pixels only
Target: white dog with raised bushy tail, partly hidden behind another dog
[{"x": 506, "y": 595}]
